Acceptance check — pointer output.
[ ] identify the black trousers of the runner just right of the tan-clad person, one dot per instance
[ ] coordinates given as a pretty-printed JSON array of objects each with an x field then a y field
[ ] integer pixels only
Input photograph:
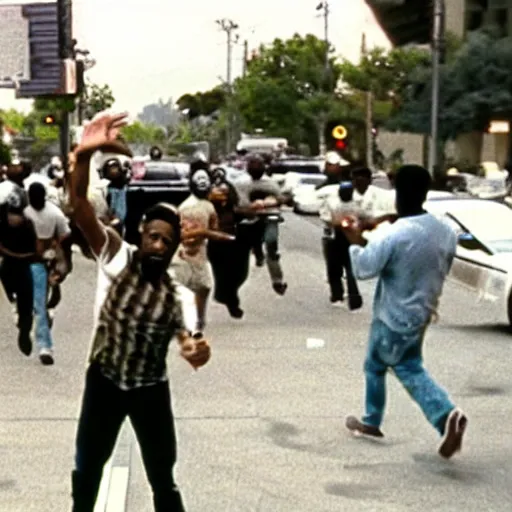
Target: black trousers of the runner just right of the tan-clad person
[{"x": 230, "y": 265}]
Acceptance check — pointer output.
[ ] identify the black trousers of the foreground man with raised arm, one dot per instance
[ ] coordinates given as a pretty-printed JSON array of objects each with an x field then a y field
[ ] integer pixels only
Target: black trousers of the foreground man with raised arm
[{"x": 104, "y": 408}]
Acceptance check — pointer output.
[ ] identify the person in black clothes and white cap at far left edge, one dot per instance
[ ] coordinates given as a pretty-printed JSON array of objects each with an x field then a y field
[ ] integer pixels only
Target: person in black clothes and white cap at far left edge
[{"x": 18, "y": 247}]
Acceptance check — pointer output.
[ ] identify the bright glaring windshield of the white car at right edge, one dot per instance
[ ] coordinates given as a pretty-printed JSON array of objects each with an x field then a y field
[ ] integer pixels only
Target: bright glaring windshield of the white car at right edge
[{"x": 489, "y": 222}]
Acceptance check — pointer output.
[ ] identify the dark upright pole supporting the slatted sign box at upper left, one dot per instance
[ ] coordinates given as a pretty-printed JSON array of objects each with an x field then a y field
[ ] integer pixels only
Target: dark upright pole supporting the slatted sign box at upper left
[{"x": 66, "y": 51}]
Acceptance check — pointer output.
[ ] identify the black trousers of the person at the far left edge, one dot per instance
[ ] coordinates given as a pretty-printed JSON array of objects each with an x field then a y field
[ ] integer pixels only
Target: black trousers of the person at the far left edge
[{"x": 16, "y": 278}]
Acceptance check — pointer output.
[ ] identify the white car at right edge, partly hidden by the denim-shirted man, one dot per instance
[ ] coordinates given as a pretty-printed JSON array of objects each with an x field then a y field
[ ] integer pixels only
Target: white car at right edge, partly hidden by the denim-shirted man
[{"x": 483, "y": 263}]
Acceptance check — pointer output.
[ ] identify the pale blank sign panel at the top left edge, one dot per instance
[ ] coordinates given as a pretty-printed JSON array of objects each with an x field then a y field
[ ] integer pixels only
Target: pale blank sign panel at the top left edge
[{"x": 14, "y": 41}]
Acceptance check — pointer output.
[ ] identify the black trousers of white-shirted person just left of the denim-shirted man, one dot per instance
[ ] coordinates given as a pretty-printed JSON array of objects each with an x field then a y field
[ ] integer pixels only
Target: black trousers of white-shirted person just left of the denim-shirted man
[{"x": 337, "y": 260}]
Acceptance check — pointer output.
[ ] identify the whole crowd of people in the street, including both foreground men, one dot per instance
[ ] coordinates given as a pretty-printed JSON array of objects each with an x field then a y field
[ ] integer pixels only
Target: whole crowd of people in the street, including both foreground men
[{"x": 205, "y": 245}]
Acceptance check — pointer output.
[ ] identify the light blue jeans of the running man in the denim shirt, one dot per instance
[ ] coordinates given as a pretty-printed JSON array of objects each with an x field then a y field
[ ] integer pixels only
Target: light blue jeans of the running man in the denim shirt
[{"x": 403, "y": 355}]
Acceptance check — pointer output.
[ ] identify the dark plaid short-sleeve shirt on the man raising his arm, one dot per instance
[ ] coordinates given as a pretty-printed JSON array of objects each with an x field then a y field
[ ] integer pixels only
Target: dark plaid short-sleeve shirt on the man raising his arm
[{"x": 135, "y": 325}]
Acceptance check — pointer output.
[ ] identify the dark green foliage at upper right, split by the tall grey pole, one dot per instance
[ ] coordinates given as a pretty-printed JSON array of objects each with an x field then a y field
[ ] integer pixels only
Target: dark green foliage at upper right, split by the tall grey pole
[{"x": 476, "y": 86}]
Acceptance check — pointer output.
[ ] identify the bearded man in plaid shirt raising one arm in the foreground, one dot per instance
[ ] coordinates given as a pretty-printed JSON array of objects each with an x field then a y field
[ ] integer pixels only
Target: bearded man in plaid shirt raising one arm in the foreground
[{"x": 138, "y": 311}]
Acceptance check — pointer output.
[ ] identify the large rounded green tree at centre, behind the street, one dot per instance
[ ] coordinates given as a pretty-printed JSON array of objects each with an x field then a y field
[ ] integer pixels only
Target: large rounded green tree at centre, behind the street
[{"x": 288, "y": 91}]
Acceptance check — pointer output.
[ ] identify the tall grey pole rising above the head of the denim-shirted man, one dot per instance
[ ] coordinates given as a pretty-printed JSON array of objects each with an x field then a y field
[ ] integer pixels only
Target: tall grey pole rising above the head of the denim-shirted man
[{"x": 437, "y": 41}]
